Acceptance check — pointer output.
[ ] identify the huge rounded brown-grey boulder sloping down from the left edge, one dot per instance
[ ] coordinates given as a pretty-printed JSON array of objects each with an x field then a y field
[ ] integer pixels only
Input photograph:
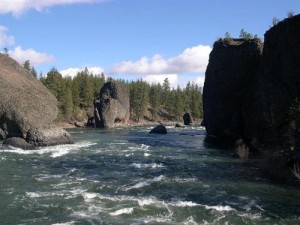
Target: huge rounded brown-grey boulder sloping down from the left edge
[{"x": 24, "y": 101}]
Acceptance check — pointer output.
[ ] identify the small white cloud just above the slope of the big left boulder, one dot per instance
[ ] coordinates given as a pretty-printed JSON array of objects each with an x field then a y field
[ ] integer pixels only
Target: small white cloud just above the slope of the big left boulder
[{"x": 35, "y": 58}]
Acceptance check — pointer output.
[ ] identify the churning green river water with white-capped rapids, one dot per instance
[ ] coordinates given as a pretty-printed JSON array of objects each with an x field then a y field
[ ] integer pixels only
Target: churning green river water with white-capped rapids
[{"x": 127, "y": 176}]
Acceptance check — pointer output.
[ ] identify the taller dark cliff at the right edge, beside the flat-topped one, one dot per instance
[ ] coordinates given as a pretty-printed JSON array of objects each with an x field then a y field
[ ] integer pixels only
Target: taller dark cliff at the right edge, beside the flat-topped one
[{"x": 280, "y": 83}]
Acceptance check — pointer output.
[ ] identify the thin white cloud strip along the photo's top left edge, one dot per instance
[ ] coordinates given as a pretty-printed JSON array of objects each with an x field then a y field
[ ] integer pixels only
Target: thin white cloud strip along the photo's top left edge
[{"x": 17, "y": 7}]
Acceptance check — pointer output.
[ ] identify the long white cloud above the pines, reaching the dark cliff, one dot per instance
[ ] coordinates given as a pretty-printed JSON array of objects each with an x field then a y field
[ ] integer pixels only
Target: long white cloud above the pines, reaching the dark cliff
[{"x": 191, "y": 60}]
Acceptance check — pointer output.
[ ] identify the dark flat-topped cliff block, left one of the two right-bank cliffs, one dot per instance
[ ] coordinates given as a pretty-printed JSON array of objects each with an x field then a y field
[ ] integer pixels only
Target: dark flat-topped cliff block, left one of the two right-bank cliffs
[{"x": 231, "y": 72}]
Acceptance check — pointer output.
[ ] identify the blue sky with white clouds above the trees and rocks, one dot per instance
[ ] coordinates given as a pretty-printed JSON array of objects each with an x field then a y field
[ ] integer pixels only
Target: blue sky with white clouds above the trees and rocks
[{"x": 130, "y": 39}]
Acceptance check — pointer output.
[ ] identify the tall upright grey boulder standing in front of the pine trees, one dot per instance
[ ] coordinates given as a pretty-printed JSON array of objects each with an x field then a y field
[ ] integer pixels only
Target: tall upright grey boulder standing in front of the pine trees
[{"x": 113, "y": 105}]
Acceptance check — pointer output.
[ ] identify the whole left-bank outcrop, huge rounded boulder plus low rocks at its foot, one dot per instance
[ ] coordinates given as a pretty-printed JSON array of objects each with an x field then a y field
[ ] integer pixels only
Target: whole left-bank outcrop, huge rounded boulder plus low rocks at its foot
[{"x": 27, "y": 109}]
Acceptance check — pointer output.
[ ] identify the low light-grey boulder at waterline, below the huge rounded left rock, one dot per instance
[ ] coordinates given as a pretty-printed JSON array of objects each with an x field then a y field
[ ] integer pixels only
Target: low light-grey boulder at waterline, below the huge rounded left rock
[{"x": 48, "y": 135}]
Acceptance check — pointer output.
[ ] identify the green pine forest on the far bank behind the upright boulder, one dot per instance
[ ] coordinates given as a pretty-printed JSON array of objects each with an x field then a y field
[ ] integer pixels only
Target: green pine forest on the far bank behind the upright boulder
[{"x": 147, "y": 101}]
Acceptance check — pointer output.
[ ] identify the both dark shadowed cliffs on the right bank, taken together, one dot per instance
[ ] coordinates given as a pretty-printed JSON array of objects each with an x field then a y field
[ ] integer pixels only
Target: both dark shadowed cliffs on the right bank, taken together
[{"x": 252, "y": 90}]
